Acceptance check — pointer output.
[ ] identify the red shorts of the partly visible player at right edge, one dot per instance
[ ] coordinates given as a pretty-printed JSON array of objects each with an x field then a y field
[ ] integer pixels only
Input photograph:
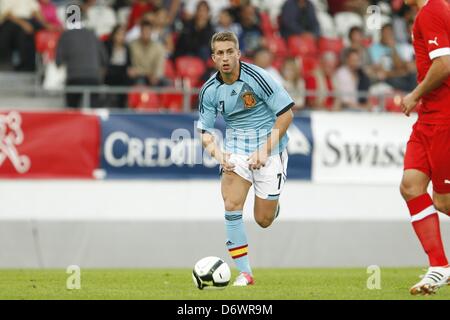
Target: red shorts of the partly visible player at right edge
[{"x": 428, "y": 150}]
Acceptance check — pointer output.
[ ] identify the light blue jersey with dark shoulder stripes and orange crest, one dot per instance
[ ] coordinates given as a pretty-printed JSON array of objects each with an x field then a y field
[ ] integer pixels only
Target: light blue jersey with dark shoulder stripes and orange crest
[{"x": 249, "y": 107}]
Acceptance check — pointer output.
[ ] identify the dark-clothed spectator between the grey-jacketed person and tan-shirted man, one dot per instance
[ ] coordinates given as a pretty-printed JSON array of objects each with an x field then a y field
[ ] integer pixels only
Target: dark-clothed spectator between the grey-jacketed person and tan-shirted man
[{"x": 119, "y": 68}]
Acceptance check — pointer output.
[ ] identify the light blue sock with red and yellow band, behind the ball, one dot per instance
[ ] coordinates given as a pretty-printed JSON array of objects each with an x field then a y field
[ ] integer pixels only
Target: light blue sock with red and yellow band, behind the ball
[{"x": 237, "y": 240}]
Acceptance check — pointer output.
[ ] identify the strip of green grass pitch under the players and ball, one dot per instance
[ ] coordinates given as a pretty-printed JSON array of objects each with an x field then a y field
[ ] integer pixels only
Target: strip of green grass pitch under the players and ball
[{"x": 176, "y": 284}]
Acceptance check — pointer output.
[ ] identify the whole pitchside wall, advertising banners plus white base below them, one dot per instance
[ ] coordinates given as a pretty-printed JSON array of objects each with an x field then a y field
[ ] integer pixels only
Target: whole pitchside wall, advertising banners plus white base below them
[{"x": 123, "y": 190}]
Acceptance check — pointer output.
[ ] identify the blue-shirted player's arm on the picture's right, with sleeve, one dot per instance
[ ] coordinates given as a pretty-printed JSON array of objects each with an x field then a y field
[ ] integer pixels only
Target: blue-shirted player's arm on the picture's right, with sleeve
[{"x": 280, "y": 103}]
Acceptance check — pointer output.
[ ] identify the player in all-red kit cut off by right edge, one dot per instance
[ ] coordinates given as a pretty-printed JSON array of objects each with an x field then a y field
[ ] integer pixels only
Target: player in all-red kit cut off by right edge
[{"x": 428, "y": 151}]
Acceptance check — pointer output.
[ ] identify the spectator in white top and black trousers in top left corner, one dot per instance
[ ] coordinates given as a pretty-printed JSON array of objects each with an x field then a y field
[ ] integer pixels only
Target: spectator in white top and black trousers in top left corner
[{"x": 19, "y": 20}]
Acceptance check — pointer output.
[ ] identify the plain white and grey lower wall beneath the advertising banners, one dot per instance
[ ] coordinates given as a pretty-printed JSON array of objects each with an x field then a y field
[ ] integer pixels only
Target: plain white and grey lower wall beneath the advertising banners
[{"x": 121, "y": 224}]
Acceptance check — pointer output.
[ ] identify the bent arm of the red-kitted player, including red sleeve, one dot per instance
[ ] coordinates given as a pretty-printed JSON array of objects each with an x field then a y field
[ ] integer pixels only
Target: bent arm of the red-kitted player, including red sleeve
[{"x": 438, "y": 39}]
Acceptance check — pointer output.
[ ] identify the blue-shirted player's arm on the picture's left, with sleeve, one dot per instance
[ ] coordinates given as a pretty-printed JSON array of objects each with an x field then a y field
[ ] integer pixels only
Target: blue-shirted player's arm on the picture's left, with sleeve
[{"x": 205, "y": 124}]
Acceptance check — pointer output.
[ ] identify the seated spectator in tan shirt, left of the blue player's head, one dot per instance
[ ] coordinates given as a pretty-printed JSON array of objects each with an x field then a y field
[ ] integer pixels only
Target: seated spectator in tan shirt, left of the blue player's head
[{"x": 148, "y": 58}]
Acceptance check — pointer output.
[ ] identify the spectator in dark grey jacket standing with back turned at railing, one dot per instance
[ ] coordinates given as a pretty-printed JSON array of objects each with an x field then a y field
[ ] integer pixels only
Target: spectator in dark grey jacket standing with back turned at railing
[{"x": 85, "y": 59}]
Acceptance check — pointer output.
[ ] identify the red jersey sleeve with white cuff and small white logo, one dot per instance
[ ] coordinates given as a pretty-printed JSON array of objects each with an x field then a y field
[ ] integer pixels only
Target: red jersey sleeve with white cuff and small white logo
[{"x": 436, "y": 33}]
